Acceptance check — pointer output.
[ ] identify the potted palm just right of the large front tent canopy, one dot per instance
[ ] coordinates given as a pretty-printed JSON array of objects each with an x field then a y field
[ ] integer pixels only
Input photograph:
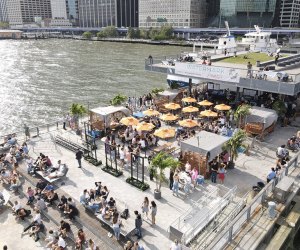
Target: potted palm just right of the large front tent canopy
[{"x": 234, "y": 144}]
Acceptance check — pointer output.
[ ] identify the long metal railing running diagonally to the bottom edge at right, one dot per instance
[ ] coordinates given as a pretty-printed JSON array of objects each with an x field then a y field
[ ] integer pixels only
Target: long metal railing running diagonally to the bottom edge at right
[{"x": 225, "y": 237}]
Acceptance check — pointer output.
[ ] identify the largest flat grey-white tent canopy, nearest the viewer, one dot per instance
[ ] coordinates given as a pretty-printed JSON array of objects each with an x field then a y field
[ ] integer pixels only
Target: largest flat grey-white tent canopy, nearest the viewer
[{"x": 205, "y": 143}]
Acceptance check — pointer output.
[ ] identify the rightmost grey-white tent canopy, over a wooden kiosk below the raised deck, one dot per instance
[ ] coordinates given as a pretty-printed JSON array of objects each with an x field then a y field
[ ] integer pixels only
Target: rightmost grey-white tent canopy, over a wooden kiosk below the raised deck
[{"x": 262, "y": 115}]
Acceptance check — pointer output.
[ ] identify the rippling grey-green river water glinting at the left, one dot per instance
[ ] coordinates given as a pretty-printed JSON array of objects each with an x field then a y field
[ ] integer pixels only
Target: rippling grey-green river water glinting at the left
[{"x": 40, "y": 79}]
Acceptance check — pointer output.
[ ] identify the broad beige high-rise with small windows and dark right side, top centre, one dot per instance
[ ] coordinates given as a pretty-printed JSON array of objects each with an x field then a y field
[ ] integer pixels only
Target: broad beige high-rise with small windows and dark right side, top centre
[{"x": 178, "y": 13}]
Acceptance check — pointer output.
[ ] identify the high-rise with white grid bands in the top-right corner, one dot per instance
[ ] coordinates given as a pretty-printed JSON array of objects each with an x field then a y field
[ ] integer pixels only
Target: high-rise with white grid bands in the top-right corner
[{"x": 289, "y": 13}]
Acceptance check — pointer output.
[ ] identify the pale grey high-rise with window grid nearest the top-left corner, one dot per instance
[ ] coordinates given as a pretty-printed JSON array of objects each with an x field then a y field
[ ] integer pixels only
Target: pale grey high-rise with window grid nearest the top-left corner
[{"x": 22, "y": 12}]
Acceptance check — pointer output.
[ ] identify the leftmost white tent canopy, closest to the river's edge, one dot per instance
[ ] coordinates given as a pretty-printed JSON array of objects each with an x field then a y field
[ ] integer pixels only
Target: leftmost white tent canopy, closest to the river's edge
[{"x": 105, "y": 113}]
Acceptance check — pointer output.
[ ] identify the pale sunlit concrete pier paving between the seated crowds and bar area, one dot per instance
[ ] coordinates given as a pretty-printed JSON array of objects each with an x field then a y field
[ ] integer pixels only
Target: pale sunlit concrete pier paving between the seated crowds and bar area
[{"x": 249, "y": 170}]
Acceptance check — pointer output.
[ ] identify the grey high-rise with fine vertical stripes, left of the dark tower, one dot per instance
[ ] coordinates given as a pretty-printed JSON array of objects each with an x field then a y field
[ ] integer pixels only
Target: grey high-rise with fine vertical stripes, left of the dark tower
[{"x": 97, "y": 13}]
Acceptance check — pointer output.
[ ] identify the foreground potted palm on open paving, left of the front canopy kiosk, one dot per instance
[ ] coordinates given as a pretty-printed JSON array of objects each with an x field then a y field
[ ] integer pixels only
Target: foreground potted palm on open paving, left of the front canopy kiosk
[{"x": 159, "y": 164}]
